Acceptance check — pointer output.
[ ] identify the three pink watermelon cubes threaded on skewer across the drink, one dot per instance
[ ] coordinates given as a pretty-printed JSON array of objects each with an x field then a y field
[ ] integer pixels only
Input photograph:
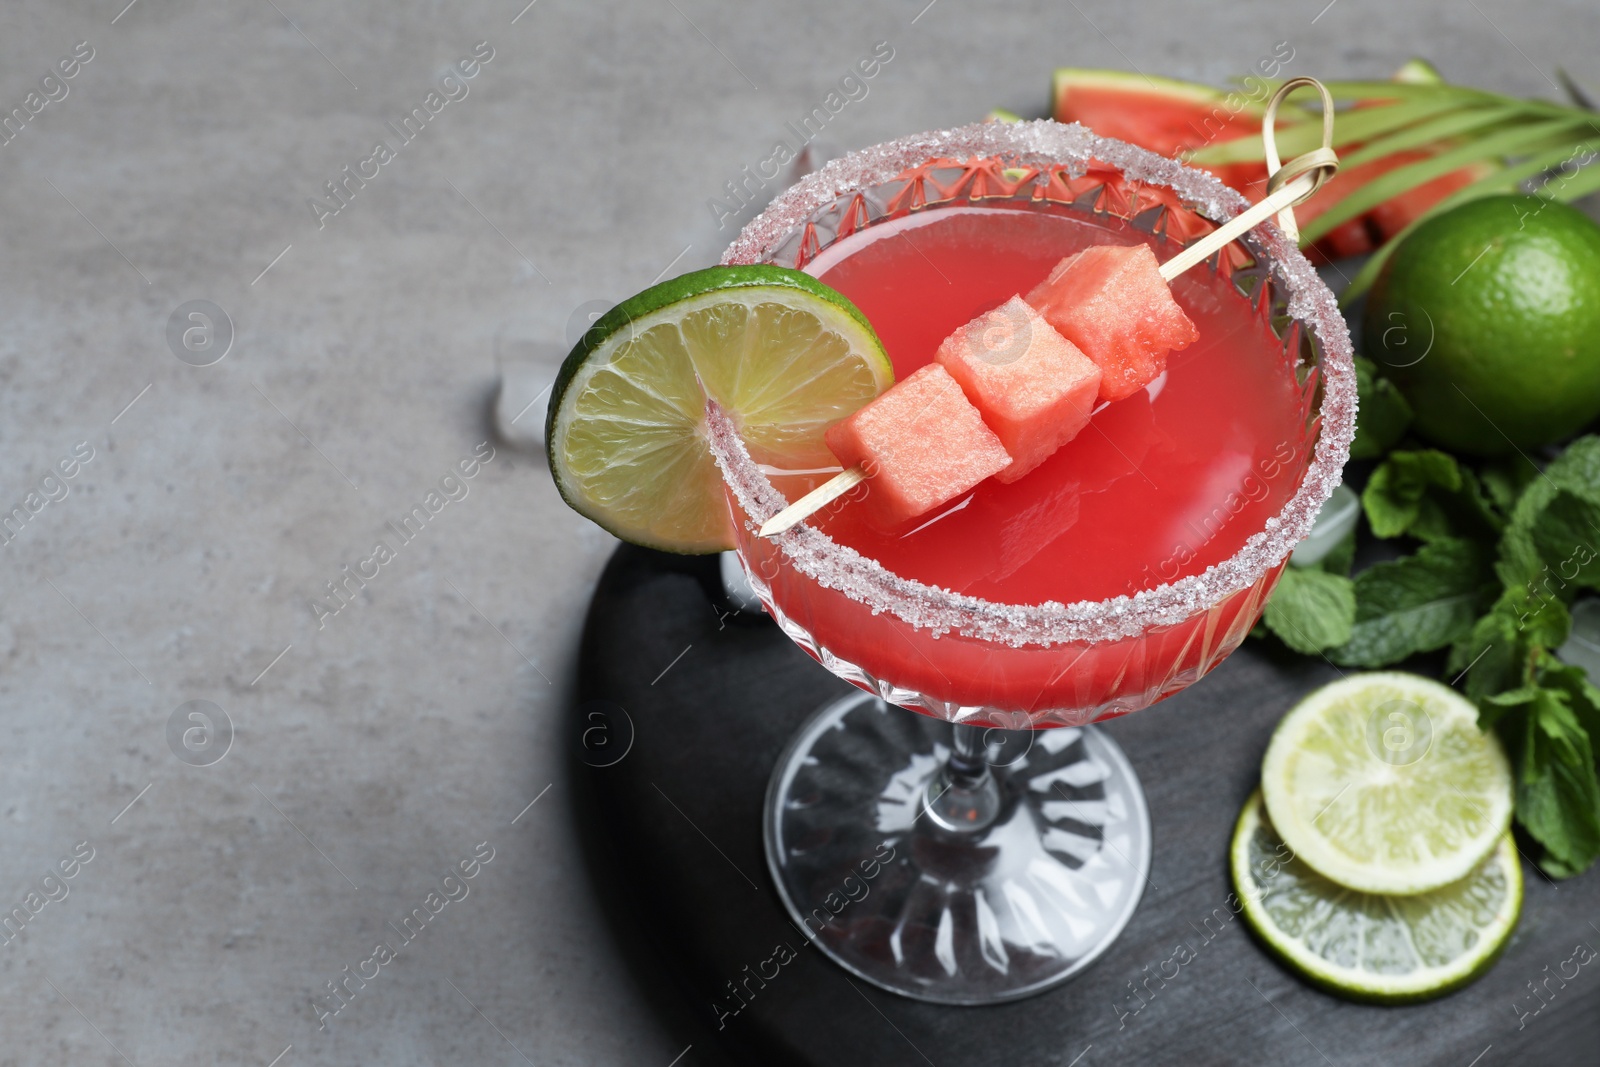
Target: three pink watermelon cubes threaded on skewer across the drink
[{"x": 1010, "y": 388}]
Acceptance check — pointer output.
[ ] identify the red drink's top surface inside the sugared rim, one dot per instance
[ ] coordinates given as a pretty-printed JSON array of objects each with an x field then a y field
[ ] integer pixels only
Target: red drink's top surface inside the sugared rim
[{"x": 1162, "y": 486}]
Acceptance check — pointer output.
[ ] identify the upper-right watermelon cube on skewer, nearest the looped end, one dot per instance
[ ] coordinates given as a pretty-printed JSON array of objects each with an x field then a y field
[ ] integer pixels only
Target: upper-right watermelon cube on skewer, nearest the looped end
[{"x": 1116, "y": 306}]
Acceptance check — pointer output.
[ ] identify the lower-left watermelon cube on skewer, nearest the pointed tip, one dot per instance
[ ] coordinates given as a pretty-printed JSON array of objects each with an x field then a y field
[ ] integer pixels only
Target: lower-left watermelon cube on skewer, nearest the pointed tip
[{"x": 922, "y": 444}]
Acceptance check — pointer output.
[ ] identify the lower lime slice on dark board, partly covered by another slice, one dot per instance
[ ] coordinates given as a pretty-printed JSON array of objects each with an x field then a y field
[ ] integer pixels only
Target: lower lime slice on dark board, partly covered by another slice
[{"x": 1369, "y": 946}]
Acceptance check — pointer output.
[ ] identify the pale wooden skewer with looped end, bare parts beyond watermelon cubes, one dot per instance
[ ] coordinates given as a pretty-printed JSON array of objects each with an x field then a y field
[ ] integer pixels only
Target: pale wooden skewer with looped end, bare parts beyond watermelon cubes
[{"x": 1290, "y": 185}]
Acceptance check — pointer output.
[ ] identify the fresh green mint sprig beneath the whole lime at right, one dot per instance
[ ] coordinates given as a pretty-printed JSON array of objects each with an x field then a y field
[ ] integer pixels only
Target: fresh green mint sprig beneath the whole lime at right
[{"x": 1500, "y": 553}]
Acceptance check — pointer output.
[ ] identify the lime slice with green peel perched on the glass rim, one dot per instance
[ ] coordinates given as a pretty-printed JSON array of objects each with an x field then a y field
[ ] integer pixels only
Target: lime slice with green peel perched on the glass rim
[{"x": 783, "y": 354}]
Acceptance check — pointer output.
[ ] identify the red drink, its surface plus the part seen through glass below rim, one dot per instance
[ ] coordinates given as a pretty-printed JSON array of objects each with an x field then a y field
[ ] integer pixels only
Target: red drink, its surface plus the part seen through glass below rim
[{"x": 1162, "y": 486}]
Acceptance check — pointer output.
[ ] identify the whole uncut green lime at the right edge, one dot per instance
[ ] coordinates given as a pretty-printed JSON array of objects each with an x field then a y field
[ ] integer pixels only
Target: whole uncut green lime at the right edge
[{"x": 1489, "y": 321}]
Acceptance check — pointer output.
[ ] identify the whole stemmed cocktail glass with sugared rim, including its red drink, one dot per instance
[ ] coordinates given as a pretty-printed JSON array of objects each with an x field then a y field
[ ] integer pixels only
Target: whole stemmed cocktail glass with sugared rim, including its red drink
[{"x": 1122, "y": 569}]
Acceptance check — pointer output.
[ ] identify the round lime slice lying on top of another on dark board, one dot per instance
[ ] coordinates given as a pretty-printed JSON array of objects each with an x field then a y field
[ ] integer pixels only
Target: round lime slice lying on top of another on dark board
[{"x": 1385, "y": 783}]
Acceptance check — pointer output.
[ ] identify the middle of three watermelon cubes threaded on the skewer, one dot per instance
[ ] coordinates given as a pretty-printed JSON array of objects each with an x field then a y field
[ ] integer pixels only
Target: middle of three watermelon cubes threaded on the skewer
[{"x": 1033, "y": 386}]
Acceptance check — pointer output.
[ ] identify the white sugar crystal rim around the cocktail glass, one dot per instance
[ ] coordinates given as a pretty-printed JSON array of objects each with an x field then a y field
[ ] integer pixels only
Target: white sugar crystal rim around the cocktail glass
[{"x": 1046, "y": 143}]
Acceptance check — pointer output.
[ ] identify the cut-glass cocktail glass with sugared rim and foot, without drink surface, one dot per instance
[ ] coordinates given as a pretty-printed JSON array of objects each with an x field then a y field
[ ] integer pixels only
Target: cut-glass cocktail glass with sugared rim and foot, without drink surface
[{"x": 998, "y": 844}]
